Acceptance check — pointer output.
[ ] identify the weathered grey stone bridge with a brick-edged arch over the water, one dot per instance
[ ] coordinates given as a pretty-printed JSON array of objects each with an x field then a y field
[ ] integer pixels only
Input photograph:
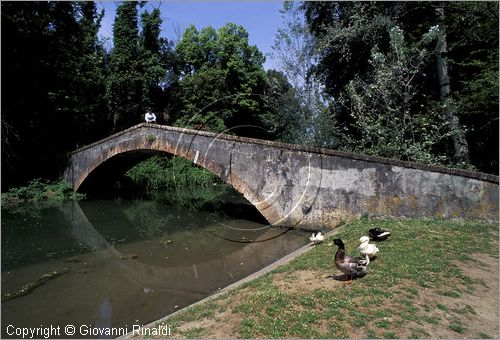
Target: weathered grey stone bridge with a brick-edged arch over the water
[{"x": 306, "y": 187}]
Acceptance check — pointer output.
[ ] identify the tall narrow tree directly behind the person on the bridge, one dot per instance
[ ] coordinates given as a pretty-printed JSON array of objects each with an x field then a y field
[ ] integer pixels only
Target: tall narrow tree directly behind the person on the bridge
[{"x": 137, "y": 65}]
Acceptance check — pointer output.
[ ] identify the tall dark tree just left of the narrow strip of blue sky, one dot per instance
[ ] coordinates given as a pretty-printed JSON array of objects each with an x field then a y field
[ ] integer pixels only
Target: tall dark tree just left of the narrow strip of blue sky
[{"x": 78, "y": 83}]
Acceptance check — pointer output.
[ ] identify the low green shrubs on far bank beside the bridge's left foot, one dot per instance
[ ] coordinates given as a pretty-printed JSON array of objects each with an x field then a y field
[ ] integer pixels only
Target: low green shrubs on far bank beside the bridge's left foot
[{"x": 39, "y": 190}]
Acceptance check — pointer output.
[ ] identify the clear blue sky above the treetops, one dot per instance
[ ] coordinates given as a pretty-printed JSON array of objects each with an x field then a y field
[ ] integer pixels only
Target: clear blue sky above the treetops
[{"x": 261, "y": 19}]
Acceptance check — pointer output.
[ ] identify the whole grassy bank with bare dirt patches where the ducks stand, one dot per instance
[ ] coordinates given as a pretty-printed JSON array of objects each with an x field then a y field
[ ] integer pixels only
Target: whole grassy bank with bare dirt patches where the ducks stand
[{"x": 432, "y": 278}]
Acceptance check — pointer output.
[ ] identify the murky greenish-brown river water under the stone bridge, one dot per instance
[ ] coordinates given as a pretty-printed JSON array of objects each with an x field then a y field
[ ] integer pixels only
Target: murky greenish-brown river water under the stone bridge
[{"x": 121, "y": 262}]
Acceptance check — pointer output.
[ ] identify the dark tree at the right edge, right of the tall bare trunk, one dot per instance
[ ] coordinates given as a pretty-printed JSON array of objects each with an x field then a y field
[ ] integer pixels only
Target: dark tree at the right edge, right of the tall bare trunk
[{"x": 472, "y": 57}]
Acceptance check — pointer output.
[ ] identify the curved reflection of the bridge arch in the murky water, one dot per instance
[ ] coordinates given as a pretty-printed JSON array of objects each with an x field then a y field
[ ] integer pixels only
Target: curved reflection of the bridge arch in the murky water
[{"x": 198, "y": 279}]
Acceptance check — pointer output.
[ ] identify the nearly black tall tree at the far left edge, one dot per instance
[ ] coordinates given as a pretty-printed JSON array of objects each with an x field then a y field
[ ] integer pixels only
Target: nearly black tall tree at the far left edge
[{"x": 25, "y": 35}]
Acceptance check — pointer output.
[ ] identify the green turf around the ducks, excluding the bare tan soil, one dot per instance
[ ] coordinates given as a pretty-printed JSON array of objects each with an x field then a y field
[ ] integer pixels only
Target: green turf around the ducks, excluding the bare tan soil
[{"x": 383, "y": 304}]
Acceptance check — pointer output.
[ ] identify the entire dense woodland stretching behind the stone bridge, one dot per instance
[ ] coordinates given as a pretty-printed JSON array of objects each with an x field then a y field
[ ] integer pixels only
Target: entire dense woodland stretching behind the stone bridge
[{"x": 416, "y": 81}]
